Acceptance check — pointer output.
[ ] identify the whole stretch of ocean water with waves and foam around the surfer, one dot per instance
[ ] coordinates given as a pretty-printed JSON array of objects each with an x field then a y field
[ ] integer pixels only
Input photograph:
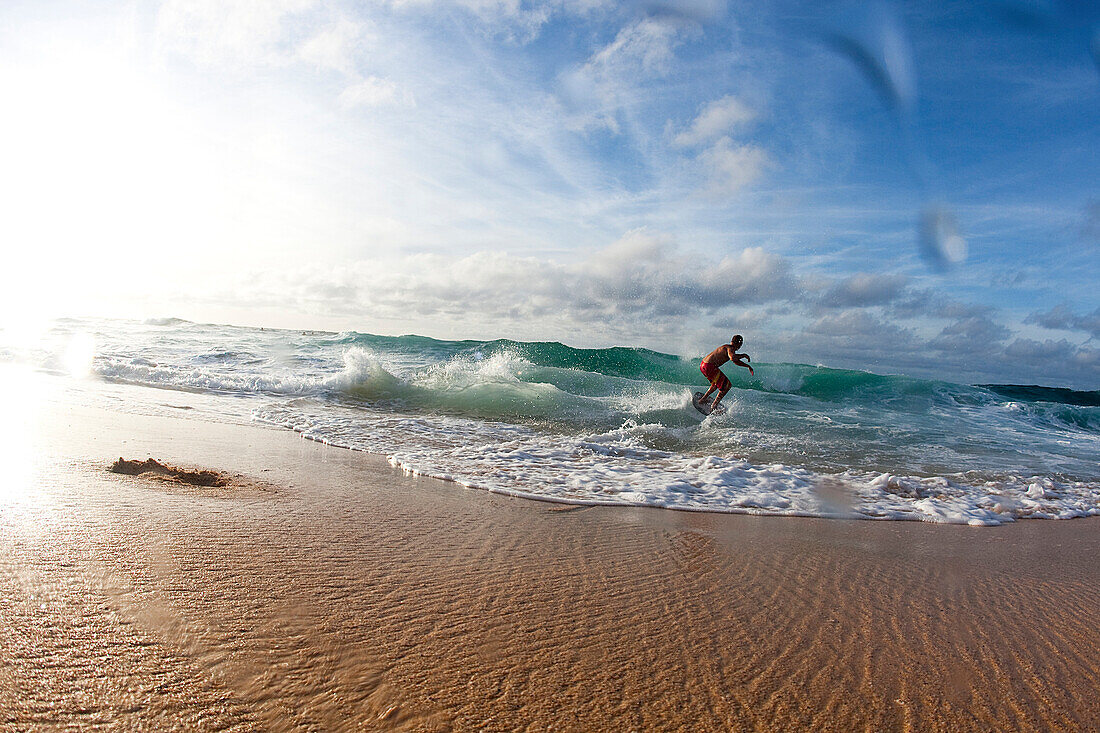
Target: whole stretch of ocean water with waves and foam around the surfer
[{"x": 617, "y": 426}]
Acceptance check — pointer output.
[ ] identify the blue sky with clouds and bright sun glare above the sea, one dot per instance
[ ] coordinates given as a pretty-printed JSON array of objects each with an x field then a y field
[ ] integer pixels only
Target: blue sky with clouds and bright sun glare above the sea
[{"x": 901, "y": 188}]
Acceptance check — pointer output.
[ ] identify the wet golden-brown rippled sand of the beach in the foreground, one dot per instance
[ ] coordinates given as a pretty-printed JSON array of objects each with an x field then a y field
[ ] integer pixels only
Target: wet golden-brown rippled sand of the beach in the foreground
[{"x": 325, "y": 590}]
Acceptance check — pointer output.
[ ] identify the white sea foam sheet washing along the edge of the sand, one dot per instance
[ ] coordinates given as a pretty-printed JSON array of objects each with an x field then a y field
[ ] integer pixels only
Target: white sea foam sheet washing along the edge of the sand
[{"x": 618, "y": 468}]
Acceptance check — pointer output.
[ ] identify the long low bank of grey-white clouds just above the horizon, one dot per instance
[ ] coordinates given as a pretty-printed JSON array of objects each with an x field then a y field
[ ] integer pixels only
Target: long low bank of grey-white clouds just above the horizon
[{"x": 645, "y": 291}]
